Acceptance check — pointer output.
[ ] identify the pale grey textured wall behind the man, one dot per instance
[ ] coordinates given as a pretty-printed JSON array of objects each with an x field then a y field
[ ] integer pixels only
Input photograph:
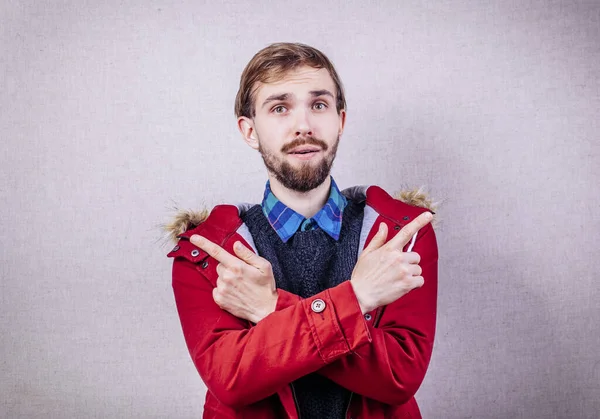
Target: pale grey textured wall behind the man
[{"x": 112, "y": 111}]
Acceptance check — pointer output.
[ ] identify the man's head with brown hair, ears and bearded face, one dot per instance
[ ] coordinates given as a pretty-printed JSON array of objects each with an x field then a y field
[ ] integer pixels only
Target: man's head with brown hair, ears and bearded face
[{"x": 291, "y": 108}]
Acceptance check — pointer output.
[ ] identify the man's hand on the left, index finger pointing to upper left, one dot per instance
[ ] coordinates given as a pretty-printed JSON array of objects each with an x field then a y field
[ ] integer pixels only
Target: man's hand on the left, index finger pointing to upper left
[{"x": 245, "y": 285}]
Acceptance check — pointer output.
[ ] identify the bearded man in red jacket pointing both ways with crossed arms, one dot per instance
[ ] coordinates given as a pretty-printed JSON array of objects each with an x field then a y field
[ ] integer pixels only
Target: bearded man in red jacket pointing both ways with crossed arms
[{"x": 316, "y": 303}]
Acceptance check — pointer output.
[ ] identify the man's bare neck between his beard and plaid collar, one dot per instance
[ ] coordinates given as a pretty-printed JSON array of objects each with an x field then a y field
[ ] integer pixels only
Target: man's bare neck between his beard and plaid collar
[{"x": 306, "y": 204}]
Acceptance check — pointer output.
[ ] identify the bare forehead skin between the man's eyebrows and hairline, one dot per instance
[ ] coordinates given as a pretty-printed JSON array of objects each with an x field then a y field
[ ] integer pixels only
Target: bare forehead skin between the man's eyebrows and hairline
[{"x": 301, "y": 80}]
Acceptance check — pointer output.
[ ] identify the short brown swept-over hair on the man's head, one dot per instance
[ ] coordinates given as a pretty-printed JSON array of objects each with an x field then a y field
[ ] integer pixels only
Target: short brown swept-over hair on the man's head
[{"x": 272, "y": 63}]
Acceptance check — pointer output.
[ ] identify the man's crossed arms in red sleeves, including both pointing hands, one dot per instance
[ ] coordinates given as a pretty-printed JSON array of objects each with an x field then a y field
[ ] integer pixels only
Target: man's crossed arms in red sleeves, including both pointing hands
[{"x": 242, "y": 364}]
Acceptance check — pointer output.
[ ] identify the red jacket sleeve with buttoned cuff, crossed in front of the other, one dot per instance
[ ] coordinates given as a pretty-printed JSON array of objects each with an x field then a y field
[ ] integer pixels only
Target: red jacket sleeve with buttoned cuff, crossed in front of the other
[{"x": 240, "y": 364}]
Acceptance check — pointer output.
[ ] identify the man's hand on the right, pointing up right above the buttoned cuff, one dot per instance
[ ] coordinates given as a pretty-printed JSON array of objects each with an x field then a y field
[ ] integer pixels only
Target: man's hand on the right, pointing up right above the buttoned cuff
[{"x": 384, "y": 272}]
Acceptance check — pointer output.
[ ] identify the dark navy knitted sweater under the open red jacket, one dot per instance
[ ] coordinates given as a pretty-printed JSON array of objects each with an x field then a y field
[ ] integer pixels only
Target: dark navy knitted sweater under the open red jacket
[{"x": 310, "y": 262}]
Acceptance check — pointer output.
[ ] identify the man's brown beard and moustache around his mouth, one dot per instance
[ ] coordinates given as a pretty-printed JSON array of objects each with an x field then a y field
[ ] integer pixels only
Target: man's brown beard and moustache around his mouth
[{"x": 303, "y": 178}]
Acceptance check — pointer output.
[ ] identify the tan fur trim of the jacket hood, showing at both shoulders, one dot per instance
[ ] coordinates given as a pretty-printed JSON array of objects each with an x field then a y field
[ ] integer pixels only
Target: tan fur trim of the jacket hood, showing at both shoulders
[{"x": 187, "y": 219}]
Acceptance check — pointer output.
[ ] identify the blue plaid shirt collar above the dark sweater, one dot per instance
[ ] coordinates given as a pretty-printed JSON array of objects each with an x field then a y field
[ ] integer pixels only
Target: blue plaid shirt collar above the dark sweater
[{"x": 286, "y": 221}]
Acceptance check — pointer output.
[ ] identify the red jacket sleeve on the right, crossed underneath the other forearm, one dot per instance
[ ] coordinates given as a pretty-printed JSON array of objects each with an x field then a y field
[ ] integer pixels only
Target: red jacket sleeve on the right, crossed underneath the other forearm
[{"x": 392, "y": 367}]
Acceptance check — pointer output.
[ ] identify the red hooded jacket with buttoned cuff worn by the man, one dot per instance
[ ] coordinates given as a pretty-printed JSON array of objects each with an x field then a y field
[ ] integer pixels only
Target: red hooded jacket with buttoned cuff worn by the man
[{"x": 380, "y": 357}]
